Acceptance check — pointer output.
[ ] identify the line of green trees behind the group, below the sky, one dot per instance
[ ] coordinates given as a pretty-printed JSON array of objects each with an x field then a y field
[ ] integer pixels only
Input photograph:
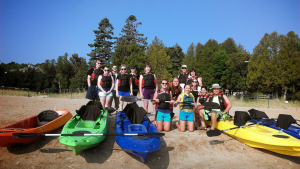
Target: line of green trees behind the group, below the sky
[{"x": 272, "y": 68}]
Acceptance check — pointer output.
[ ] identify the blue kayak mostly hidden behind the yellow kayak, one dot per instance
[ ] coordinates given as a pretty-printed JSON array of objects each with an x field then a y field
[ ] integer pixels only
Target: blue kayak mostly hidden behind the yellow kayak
[{"x": 292, "y": 130}]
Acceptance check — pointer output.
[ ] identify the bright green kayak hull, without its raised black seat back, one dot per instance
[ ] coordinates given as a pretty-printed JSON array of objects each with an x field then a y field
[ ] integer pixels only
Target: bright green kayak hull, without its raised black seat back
[{"x": 80, "y": 143}]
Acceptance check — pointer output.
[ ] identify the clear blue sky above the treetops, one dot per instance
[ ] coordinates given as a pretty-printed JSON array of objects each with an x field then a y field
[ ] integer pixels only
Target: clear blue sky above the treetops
[{"x": 35, "y": 30}]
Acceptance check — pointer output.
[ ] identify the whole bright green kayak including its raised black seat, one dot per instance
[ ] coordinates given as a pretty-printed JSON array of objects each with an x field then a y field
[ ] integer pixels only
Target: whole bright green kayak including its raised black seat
[{"x": 90, "y": 119}]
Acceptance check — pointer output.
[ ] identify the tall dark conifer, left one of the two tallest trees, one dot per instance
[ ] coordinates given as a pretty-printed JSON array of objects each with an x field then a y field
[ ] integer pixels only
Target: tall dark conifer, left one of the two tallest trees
[{"x": 104, "y": 41}]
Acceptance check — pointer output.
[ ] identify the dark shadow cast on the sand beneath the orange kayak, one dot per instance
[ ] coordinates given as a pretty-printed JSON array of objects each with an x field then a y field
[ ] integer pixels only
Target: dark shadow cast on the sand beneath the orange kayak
[{"x": 31, "y": 147}]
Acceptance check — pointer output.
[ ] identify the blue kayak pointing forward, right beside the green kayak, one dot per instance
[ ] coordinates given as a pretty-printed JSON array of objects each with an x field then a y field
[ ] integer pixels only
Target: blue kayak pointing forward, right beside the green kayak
[{"x": 141, "y": 146}]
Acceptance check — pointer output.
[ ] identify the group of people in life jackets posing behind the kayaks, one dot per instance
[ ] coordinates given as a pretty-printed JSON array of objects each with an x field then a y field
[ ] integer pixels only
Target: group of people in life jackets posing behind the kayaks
[{"x": 185, "y": 91}]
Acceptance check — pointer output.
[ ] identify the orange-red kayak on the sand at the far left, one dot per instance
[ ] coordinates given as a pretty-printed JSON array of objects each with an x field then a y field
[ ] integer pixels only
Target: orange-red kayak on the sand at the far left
[{"x": 44, "y": 122}]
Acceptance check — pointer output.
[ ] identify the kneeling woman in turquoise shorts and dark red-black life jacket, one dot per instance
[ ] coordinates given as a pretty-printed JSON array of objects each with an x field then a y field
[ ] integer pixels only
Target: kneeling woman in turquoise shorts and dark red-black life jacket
[{"x": 163, "y": 111}]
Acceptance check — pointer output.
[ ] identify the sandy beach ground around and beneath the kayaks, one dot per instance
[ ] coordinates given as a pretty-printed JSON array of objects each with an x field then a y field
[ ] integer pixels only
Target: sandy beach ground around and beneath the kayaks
[{"x": 179, "y": 149}]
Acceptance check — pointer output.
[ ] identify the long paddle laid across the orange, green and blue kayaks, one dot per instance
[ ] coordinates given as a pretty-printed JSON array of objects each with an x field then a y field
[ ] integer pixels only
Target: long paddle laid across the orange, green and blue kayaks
[{"x": 30, "y": 135}]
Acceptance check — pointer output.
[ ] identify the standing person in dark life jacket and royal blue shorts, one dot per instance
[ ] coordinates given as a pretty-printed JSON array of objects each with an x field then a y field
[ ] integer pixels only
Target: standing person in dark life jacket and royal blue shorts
[{"x": 124, "y": 84}]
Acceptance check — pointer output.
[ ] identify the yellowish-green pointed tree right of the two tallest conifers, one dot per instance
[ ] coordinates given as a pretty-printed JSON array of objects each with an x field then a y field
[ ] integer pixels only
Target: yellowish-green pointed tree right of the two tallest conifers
[{"x": 159, "y": 60}]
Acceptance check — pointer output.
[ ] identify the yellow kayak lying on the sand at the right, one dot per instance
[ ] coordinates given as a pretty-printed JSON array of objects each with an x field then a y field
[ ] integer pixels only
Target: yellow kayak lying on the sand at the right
[{"x": 259, "y": 136}]
